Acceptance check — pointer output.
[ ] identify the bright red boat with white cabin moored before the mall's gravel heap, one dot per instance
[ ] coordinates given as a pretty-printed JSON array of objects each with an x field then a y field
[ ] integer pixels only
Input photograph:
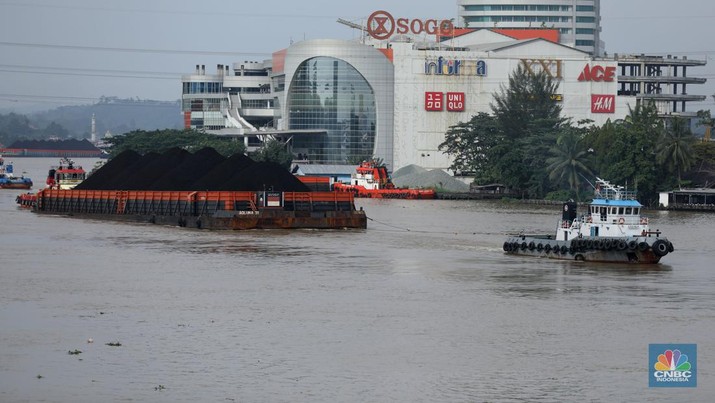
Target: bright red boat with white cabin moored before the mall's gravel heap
[{"x": 372, "y": 180}]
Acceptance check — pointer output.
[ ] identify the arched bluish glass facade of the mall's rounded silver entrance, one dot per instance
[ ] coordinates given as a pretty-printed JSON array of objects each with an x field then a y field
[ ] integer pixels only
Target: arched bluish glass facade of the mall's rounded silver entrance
[{"x": 329, "y": 94}]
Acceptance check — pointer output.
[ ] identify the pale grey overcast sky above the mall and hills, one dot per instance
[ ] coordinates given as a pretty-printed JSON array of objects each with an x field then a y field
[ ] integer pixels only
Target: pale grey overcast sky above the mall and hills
[{"x": 57, "y": 52}]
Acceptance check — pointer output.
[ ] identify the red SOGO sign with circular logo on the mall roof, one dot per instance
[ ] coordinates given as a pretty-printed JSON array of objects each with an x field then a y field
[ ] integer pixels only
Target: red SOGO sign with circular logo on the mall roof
[{"x": 381, "y": 25}]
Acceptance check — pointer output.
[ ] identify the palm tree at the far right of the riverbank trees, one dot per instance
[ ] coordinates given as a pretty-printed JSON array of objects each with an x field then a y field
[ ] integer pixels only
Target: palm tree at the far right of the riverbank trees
[{"x": 674, "y": 147}]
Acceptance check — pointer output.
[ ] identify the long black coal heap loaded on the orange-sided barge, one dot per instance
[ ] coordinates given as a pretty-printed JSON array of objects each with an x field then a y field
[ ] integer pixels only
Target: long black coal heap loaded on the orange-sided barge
[{"x": 178, "y": 169}]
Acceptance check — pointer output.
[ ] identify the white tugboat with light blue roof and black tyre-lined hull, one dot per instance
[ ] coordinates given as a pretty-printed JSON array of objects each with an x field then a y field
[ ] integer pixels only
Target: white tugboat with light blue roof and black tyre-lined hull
[{"x": 613, "y": 230}]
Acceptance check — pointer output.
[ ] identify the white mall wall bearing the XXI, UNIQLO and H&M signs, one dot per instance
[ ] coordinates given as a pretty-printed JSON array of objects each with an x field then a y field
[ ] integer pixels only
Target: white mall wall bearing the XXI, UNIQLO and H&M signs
[{"x": 418, "y": 132}]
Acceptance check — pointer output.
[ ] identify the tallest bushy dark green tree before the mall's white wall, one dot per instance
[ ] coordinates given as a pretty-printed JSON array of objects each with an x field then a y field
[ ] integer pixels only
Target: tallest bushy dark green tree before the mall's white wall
[{"x": 511, "y": 145}]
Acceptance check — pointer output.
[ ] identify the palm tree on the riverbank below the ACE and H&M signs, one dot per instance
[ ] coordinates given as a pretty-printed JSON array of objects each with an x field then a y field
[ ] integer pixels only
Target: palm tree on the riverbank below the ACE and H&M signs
[{"x": 569, "y": 159}]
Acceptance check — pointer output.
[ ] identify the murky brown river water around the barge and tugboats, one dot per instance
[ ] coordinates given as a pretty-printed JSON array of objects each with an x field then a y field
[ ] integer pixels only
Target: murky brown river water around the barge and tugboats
[{"x": 423, "y": 306}]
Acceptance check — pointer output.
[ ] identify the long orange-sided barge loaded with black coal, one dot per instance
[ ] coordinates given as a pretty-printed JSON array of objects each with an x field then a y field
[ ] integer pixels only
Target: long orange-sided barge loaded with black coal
[{"x": 160, "y": 189}]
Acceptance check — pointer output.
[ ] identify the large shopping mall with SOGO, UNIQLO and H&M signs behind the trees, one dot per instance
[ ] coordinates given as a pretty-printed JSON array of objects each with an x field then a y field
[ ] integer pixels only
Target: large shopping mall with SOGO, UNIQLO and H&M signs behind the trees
[{"x": 396, "y": 91}]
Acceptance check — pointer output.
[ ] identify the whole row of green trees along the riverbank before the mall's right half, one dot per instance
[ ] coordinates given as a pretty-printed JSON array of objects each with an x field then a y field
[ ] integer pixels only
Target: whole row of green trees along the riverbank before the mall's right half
[{"x": 526, "y": 144}]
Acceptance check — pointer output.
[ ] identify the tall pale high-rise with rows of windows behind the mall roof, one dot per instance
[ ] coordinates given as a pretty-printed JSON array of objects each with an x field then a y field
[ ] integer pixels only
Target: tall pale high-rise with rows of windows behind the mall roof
[{"x": 578, "y": 21}]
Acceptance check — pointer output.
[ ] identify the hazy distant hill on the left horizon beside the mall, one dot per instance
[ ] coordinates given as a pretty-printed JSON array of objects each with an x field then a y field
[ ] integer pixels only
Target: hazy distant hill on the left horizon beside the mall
[{"x": 114, "y": 115}]
